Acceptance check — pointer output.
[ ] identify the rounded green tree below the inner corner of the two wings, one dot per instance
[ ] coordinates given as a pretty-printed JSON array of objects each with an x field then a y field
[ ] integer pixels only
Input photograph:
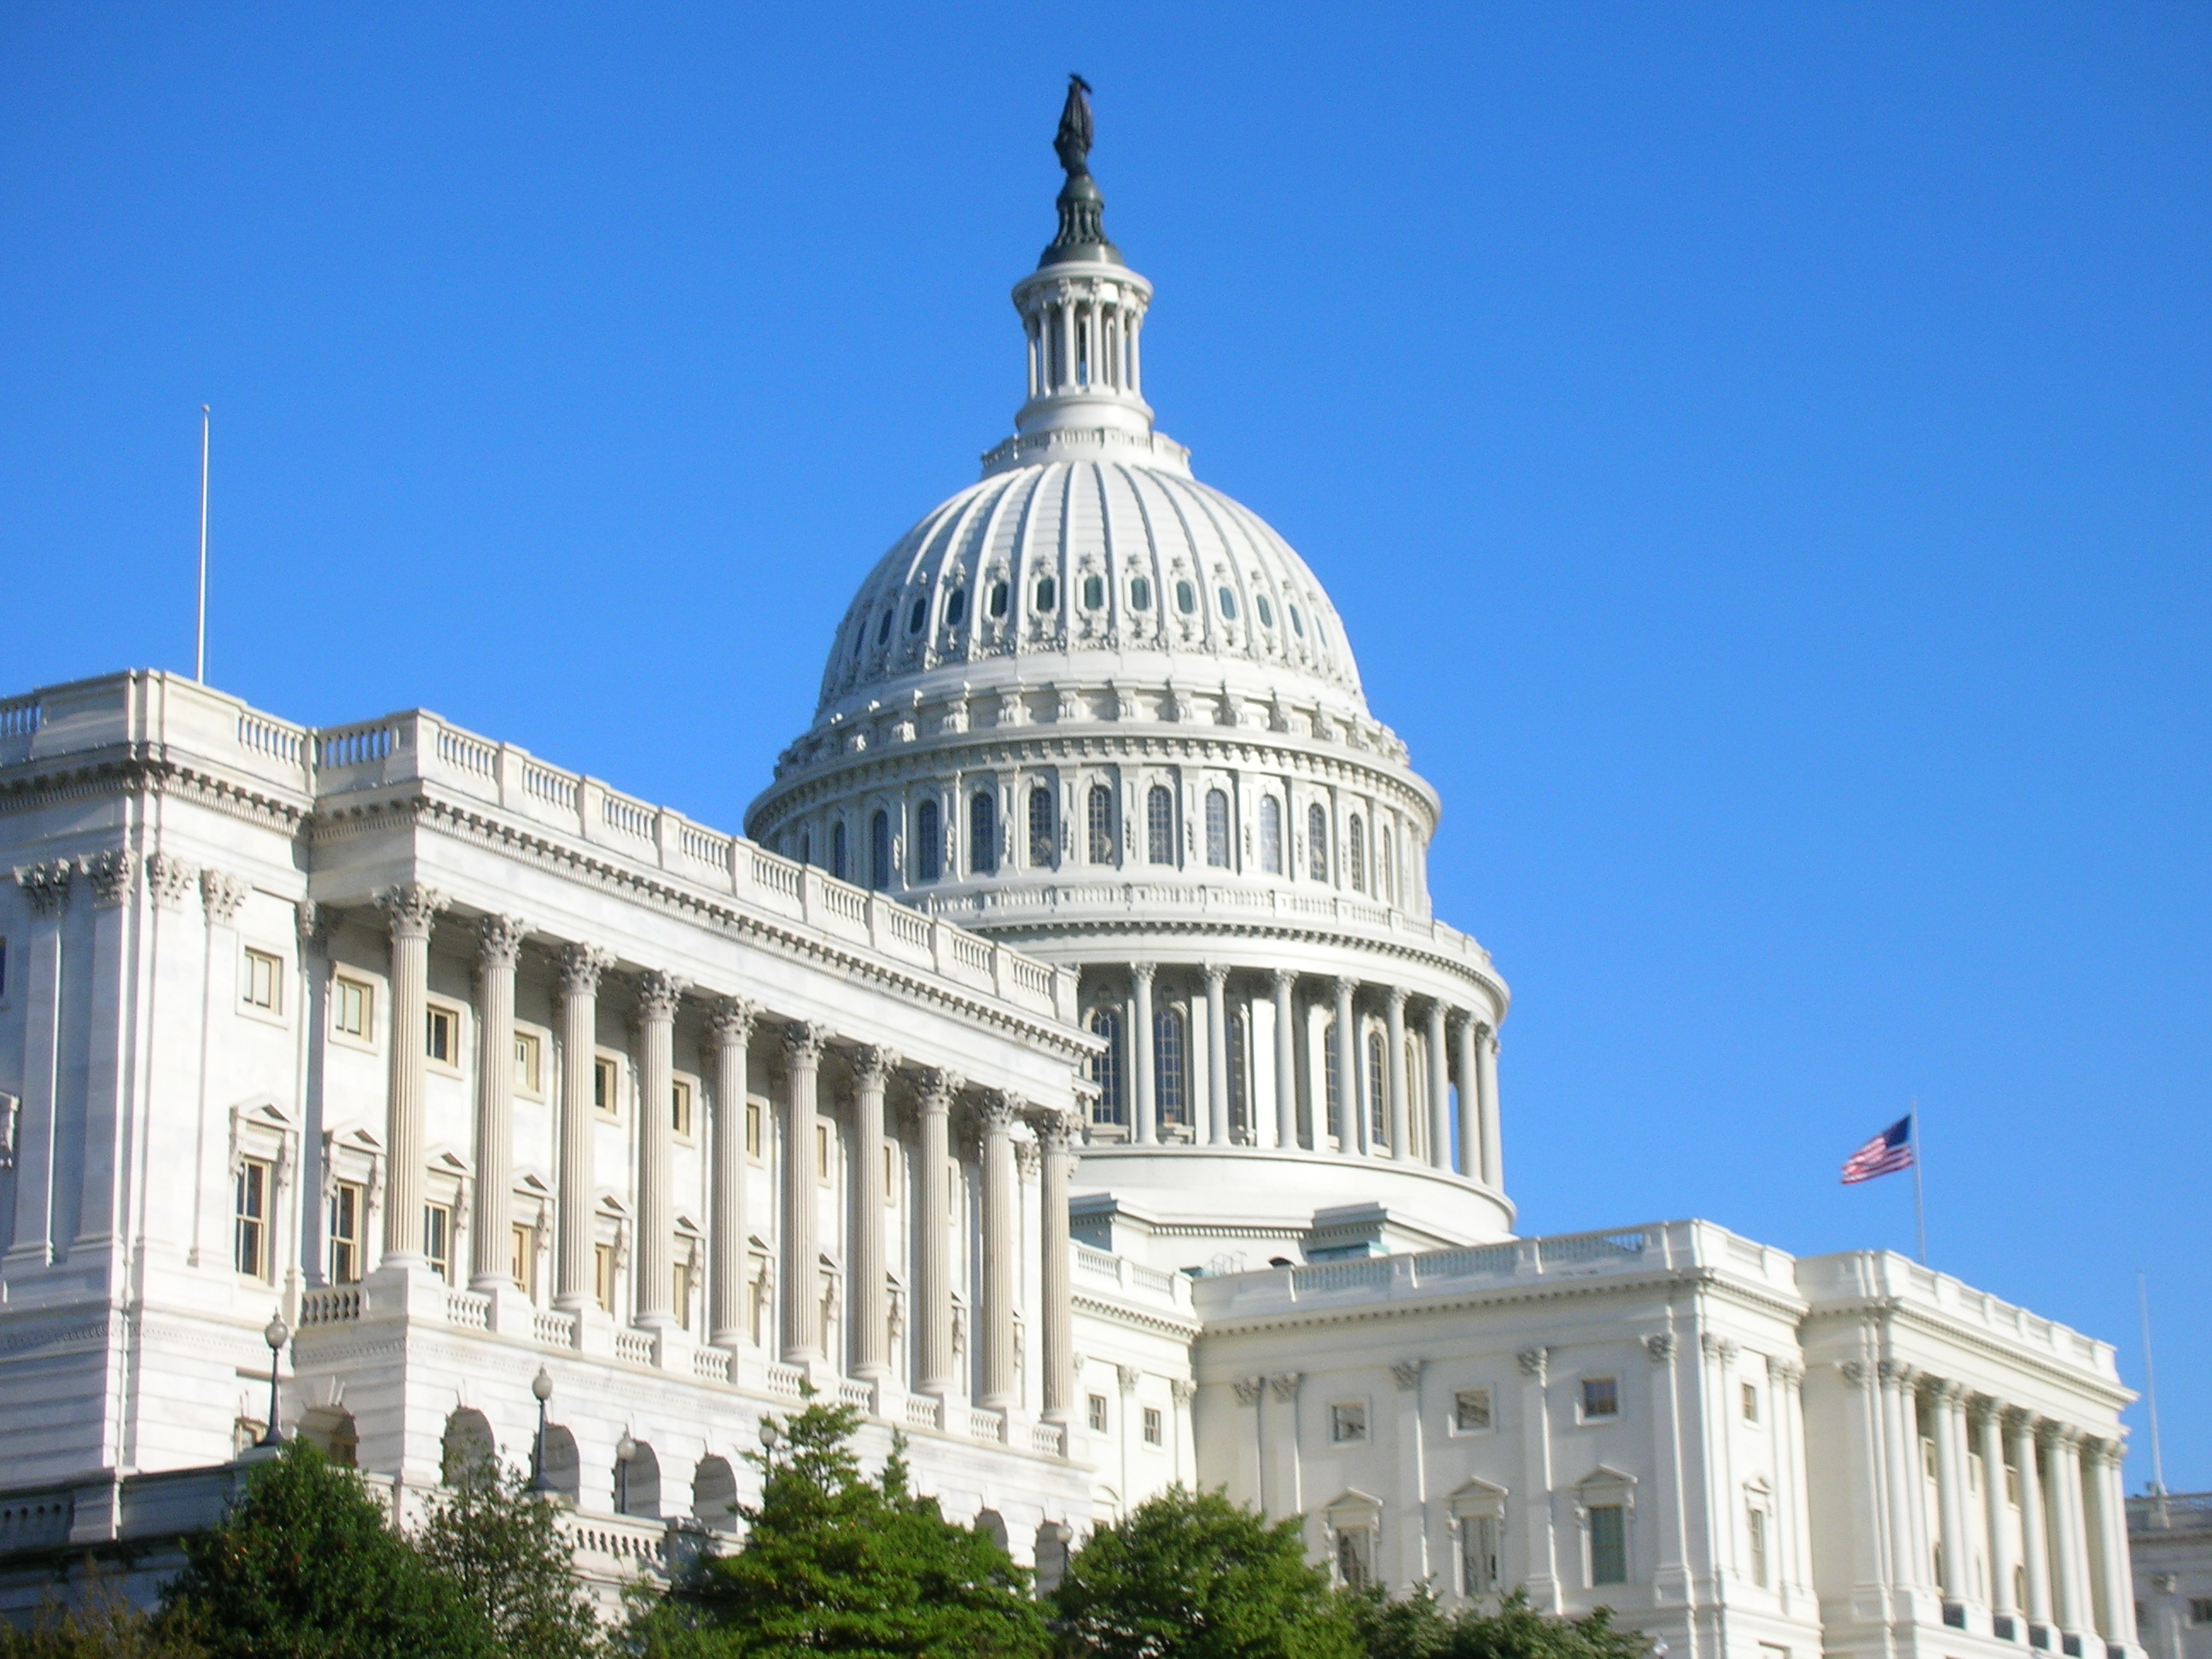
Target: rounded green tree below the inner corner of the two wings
[{"x": 1193, "y": 1576}]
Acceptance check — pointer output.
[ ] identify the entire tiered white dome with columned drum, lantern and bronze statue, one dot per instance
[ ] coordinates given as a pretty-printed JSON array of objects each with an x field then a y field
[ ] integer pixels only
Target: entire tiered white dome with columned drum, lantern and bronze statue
[{"x": 1105, "y": 713}]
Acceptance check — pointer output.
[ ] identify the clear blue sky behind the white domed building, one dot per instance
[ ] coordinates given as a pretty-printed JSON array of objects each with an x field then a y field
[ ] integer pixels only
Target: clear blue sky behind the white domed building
[{"x": 1760, "y": 452}]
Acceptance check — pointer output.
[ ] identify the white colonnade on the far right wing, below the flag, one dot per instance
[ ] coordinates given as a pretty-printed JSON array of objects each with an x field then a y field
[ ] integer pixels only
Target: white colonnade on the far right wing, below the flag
[{"x": 2058, "y": 1576}]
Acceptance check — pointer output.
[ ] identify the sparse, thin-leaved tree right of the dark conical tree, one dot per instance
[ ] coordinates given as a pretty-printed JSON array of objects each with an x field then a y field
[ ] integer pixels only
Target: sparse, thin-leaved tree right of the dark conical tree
[{"x": 501, "y": 1547}]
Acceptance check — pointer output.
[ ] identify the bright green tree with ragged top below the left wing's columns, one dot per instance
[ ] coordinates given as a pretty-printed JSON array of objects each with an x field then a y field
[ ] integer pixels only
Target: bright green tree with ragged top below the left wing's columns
[{"x": 837, "y": 1565}]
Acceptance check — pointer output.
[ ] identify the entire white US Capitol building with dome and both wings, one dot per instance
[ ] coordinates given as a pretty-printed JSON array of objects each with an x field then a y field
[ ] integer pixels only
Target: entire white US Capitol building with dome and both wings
[{"x": 1065, "y": 1070}]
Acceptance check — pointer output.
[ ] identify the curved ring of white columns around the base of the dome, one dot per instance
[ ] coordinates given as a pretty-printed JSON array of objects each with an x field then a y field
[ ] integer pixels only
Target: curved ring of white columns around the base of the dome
[{"x": 1339, "y": 1103}]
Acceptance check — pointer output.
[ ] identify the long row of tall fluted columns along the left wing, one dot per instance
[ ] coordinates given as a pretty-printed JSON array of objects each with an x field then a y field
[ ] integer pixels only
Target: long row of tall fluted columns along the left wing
[{"x": 994, "y": 1120}]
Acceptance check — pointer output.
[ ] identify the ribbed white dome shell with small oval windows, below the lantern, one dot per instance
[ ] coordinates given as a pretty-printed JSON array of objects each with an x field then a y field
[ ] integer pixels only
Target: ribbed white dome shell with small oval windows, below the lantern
[{"x": 1112, "y": 554}]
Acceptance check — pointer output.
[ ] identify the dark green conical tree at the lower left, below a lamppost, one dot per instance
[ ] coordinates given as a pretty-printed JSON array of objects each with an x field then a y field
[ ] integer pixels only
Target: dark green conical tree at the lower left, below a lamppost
[{"x": 304, "y": 1565}]
